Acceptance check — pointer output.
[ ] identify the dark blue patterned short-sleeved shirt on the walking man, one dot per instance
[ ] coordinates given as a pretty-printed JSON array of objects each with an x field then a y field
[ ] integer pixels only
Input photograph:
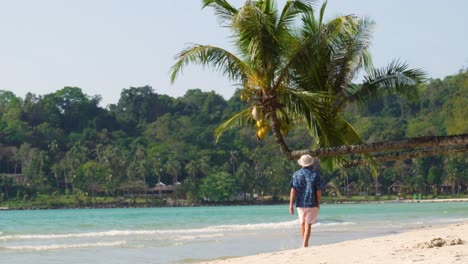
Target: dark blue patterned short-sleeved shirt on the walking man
[{"x": 306, "y": 182}]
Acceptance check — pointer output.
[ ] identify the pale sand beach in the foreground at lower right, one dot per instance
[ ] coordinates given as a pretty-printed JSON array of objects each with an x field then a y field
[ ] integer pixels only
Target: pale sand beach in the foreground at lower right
[{"x": 429, "y": 245}]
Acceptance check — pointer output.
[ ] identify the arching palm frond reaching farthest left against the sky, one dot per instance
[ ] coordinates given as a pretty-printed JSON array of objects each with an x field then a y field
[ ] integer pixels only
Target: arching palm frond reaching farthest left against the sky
[{"x": 206, "y": 55}]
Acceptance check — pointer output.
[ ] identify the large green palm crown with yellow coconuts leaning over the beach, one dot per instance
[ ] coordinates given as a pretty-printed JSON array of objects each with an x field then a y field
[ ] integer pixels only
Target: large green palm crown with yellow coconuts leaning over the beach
[{"x": 293, "y": 75}]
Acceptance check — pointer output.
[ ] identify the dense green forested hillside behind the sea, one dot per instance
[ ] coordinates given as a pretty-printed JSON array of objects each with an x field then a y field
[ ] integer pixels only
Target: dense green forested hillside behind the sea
[{"x": 64, "y": 145}]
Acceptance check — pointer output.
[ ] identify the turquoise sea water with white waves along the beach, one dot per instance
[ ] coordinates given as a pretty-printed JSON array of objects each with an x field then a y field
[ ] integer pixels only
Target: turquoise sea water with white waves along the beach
[{"x": 190, "y": 235}]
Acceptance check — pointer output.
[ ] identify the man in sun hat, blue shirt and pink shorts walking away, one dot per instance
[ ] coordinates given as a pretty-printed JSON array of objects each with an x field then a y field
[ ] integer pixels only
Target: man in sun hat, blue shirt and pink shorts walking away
[{"x": 306, "y": 186}]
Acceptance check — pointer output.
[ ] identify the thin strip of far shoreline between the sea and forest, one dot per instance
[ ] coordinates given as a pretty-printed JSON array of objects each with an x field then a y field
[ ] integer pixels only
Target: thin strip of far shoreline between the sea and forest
[{"x": 117, "y": 205}]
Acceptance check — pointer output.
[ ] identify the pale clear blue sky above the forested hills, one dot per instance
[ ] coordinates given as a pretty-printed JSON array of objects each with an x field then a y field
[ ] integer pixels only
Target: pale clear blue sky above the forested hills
[{"x": 103, "y": 46}]
